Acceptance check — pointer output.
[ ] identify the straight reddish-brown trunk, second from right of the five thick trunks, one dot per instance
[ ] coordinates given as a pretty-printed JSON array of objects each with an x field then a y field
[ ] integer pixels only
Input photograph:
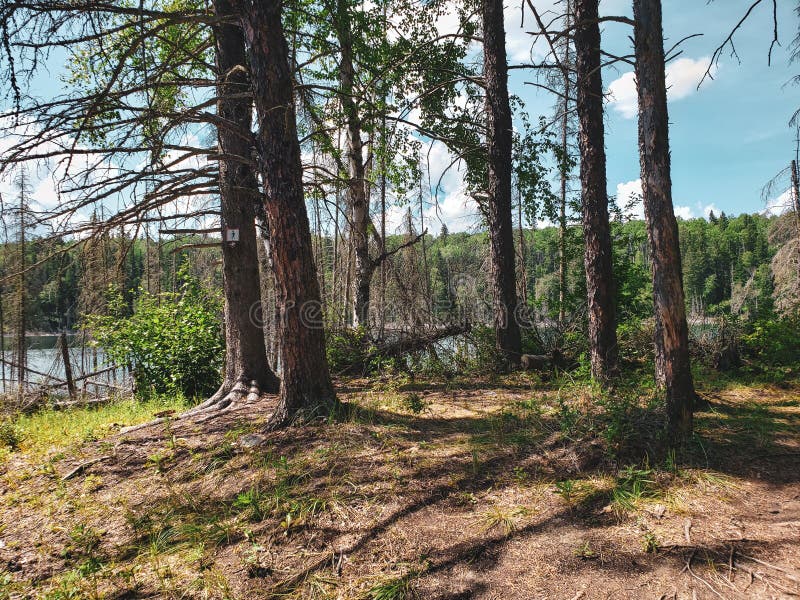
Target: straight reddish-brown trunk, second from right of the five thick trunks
[{"x": 596, "y": 230}]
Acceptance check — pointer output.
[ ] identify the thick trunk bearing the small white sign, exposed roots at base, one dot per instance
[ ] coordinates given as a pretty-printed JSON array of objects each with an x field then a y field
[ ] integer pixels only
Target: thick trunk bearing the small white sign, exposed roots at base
[{"x": 246, "y": 364}]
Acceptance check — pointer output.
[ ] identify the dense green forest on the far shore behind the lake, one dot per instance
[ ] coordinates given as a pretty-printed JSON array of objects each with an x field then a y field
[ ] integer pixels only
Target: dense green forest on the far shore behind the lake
[{"x": 732, "y": 266}]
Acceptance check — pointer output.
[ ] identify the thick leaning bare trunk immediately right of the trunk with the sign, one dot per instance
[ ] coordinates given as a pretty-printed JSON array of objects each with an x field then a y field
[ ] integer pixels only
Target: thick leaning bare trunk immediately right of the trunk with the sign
[{"x": 306, "y": 389}]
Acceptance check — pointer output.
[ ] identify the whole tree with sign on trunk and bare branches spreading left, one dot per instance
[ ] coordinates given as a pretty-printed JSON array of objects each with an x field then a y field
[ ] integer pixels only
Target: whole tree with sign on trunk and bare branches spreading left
[{"x": 131, "y": 77}]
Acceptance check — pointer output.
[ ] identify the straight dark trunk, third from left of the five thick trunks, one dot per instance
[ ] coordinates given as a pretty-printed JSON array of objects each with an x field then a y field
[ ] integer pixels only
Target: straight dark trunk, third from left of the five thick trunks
[{"x": 498, "y": 210}]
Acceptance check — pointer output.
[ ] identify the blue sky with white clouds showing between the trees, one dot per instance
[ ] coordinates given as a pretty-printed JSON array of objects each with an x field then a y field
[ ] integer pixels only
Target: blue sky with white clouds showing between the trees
[{"x": 728, "y": 139}]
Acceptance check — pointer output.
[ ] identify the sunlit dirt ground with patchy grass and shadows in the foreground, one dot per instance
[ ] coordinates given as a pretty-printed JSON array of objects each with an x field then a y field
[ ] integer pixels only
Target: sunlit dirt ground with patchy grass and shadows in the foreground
[{"x": 428, "y": 491}]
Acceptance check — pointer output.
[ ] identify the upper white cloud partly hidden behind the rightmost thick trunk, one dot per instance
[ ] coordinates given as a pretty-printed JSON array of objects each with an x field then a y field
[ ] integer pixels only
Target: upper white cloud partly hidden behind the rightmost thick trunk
[{"x": 683, "y": 75}]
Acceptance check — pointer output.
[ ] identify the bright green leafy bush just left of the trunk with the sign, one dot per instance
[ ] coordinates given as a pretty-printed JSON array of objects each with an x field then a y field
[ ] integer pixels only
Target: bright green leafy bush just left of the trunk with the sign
[{"x": 173, "y": 341}]
